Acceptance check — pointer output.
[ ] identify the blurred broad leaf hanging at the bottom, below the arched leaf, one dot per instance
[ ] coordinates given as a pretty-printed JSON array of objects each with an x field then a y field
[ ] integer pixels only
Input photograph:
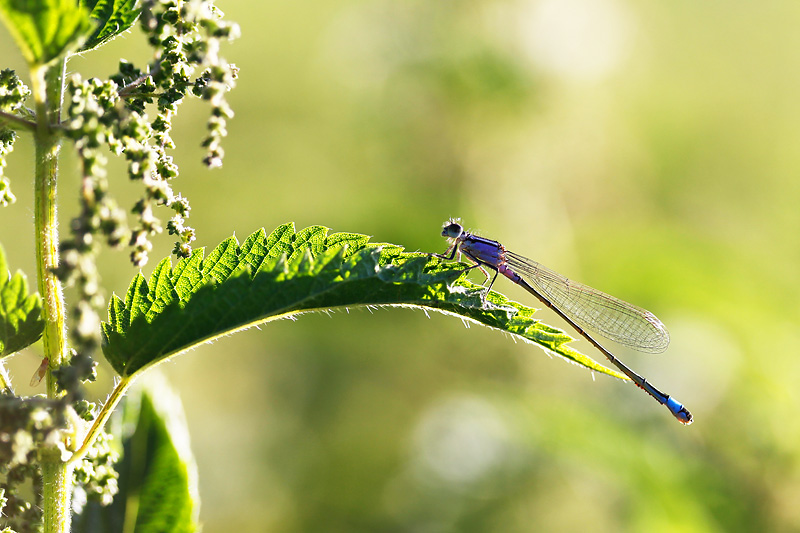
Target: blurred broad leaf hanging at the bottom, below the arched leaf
[{"x": 157, "y": 474}]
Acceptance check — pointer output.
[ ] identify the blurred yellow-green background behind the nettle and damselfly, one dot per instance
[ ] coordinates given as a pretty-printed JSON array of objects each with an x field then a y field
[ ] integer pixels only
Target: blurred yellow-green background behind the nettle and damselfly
[{"x": 648, "y": 148}]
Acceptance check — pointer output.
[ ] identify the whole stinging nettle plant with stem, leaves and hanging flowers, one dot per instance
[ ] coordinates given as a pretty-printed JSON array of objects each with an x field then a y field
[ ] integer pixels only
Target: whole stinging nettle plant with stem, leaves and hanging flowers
[{"x": 56, "y": 444}]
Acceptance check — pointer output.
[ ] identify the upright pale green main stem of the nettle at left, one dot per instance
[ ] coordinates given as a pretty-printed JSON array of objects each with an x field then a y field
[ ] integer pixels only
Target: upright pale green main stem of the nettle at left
[{"x": 47, "y": 88}]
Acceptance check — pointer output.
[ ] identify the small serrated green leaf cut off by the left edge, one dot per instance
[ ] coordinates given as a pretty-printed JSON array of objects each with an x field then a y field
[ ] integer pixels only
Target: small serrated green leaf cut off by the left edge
[{"x": 21, "y": 321}]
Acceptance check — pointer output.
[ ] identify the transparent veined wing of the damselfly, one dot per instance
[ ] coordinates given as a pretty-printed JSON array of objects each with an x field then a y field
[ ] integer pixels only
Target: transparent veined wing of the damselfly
[{"x": 611, "y": 317}]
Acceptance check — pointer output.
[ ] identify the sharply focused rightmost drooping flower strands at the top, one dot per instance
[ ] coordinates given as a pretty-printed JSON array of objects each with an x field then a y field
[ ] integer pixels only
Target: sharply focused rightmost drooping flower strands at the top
[{"x": 186, "y": 37}]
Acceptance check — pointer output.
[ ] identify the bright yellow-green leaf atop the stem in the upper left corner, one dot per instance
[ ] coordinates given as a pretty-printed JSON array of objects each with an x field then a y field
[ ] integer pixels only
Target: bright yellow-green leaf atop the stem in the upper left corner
[{"x": 45, "y": 29}]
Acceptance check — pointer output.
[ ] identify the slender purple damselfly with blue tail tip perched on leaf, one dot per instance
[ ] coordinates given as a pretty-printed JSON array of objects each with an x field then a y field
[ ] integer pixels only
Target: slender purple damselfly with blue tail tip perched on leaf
[{"x": 581, "y": 306}]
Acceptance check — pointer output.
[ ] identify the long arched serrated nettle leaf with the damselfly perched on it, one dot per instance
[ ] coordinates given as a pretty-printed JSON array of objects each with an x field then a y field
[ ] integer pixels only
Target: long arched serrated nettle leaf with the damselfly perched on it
[{"x": 269, "y": 277}]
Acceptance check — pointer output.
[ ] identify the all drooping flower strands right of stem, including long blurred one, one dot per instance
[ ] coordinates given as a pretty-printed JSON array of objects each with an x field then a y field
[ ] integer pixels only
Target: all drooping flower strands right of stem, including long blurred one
[{"x": 131, "y": 115}]
